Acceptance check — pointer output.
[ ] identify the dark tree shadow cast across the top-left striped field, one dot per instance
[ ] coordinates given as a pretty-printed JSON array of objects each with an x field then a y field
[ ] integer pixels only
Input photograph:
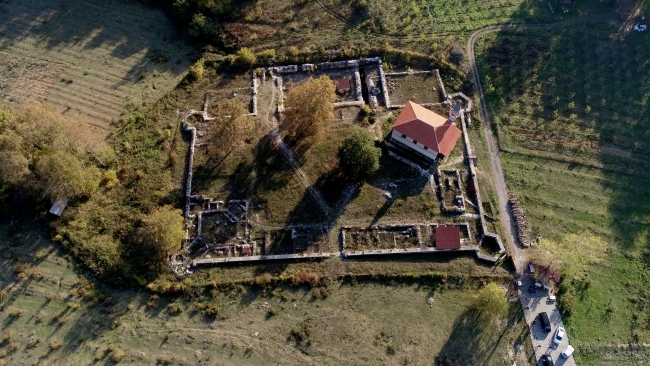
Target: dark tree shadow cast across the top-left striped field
[{"x": 86, "y": 25}]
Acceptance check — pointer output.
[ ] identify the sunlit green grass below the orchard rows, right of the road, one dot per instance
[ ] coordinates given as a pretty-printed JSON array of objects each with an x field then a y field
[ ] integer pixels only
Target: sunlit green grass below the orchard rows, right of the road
[{"x": 561, "y": 198}]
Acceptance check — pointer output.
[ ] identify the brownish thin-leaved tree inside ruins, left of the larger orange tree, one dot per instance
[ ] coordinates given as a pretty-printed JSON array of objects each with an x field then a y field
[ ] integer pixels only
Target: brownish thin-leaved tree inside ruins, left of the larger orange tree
[{"x": 231, "y": 127}]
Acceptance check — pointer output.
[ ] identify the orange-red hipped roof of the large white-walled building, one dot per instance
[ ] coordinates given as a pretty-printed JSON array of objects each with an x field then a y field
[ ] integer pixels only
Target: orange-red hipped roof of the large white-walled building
[{"x": 428, "y": 128}]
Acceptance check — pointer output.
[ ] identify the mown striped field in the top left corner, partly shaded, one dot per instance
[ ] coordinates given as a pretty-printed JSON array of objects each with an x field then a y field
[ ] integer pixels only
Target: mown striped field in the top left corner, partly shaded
[{"x": 91, "y": 58}]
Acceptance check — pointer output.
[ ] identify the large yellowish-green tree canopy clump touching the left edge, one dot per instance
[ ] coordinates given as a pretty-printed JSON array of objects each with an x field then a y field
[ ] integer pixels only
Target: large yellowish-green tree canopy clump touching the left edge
[{"x": 43, "y": 150}]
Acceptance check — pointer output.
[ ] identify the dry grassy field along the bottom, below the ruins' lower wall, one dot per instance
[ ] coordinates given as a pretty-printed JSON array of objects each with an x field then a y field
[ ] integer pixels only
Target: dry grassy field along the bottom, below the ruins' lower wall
[{"x": 52, "y": 314}]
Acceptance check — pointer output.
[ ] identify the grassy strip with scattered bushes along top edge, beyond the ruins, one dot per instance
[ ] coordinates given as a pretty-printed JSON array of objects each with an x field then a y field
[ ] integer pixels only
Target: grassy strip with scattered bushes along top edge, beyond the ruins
[{"x": 306, "y": 22}]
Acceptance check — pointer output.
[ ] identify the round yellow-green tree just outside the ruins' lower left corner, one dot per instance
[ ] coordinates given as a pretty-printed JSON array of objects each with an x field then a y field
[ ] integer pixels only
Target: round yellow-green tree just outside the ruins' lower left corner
[{"x": 162, "y": 230}]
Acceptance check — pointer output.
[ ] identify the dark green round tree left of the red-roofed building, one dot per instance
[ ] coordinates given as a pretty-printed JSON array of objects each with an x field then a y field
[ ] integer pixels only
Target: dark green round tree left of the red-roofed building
[{"x": 358, "y": 156}]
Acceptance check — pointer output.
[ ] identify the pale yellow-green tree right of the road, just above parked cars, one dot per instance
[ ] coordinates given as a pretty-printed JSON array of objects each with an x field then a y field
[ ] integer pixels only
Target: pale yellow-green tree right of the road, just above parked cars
[{"x": 572, "y": 254}]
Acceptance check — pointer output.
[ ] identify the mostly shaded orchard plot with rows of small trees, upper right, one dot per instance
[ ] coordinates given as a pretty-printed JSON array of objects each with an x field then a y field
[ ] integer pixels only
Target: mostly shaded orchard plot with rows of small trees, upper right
[{"x": 578, "y": 92}]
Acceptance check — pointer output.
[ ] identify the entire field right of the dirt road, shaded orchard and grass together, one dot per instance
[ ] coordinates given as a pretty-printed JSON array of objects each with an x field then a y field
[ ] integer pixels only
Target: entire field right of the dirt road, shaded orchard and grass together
[{"x": 571, "y": 112}]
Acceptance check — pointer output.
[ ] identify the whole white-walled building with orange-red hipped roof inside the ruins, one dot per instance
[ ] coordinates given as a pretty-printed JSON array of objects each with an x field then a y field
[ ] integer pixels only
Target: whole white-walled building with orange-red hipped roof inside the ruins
[{"x": 425, "y": 132}]
